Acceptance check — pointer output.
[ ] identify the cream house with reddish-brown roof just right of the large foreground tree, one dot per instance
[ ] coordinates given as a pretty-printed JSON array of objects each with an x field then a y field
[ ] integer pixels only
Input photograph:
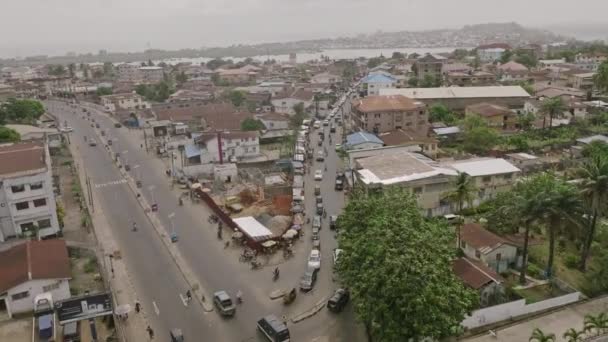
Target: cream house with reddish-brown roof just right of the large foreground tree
[{"x": 478, "y": 243}]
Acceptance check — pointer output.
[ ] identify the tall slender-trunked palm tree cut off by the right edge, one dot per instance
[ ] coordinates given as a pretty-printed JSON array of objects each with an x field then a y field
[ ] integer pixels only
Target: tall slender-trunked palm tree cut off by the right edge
[{"x": 594, "y": 189}]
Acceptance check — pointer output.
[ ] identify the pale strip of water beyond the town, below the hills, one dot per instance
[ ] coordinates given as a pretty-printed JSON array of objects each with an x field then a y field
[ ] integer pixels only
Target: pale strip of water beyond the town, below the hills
[{"x": 331, "y": 53}]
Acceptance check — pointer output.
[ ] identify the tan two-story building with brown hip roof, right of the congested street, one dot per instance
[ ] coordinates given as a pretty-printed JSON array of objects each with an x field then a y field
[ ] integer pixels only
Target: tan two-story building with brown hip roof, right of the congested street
[{"x": 381, "y": 114}]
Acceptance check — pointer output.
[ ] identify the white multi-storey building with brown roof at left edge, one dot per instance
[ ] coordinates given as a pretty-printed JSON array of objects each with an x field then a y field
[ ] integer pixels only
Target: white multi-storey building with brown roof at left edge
[{"x": 27, "y": 201}]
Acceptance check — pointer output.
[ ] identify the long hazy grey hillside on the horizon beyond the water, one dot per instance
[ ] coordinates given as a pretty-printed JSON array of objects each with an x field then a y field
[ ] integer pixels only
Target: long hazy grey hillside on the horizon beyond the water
[{"x": 468, "y": 36}]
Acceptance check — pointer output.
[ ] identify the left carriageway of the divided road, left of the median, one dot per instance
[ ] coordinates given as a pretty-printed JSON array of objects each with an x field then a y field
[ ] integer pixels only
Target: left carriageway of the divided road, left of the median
[{"x": 156, "y": 278}]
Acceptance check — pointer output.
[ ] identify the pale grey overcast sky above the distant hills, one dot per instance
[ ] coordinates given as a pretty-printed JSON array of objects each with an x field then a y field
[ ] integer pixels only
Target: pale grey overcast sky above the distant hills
[{"x": 57, "y": 26}]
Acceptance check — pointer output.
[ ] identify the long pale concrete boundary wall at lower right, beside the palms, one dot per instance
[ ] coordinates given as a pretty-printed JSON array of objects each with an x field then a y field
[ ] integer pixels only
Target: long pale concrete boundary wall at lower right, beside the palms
[{"x": 513, "y": 309}]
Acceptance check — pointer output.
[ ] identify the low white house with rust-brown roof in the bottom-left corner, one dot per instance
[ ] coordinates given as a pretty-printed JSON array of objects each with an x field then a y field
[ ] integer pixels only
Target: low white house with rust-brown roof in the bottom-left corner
[{"x": 32, "y": 268}]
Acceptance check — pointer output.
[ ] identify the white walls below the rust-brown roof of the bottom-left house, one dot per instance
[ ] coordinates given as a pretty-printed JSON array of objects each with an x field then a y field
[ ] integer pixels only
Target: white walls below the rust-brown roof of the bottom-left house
[{"x": 34, "y": 288}]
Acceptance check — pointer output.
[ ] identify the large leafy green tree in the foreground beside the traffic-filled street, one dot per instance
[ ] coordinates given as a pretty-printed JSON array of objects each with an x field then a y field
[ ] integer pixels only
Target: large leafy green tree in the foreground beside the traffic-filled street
[{"x": 397, "y": 266}]
